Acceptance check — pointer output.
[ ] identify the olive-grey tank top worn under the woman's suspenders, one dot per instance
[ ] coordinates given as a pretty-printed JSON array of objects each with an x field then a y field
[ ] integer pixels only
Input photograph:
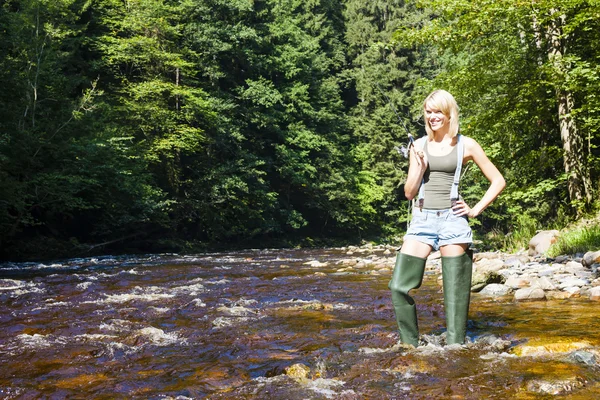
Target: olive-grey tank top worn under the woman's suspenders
[{"x": 438, "y": 180}]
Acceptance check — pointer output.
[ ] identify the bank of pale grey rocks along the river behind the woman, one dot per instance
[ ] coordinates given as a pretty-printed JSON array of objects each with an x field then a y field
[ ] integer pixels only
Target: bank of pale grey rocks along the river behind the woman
[{"x": 525, "y": 277}]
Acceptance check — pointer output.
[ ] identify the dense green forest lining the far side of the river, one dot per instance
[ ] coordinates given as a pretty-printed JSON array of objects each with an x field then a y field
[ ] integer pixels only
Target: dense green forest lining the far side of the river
[{"x": 181, "y": 125}]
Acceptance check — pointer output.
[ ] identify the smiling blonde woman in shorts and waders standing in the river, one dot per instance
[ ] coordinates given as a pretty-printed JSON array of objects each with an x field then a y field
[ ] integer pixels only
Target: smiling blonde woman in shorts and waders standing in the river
[{"x": 440, "y": 218}]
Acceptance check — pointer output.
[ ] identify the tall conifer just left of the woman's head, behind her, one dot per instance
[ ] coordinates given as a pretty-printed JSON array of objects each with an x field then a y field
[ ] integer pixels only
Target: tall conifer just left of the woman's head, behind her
[{"x": 384, "y": 76}]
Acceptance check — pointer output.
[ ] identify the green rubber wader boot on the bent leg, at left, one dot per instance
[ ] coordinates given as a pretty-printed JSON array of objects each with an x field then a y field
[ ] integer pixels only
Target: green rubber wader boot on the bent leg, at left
[{"x": 408, "y": 274}]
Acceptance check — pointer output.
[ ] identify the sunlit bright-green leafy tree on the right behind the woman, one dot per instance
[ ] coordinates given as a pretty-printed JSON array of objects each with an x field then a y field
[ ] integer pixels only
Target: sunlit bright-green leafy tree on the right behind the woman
[{"x": 522, "y": 74}]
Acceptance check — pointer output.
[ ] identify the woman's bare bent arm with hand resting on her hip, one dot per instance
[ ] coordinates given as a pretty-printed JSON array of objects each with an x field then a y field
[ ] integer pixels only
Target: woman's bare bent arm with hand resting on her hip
[{"x": 474, "y": 152}]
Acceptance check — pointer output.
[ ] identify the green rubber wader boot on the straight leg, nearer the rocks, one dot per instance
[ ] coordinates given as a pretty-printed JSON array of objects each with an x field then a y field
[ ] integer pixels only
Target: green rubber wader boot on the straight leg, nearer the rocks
[{"x": 456, "y": 275}]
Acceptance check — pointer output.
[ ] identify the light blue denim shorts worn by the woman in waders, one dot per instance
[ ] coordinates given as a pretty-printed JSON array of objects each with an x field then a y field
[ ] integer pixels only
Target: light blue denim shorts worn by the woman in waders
[{"x": 439, "y": 228}]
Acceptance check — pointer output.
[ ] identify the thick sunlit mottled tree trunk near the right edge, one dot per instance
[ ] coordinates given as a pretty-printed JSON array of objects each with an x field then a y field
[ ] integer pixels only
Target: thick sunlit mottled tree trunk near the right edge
[{"x": 574, "y": 152}]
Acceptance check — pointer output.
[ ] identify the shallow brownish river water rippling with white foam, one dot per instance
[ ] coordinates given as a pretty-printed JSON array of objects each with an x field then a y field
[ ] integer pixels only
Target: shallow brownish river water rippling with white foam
[{"x": 264, "y": 324}]
